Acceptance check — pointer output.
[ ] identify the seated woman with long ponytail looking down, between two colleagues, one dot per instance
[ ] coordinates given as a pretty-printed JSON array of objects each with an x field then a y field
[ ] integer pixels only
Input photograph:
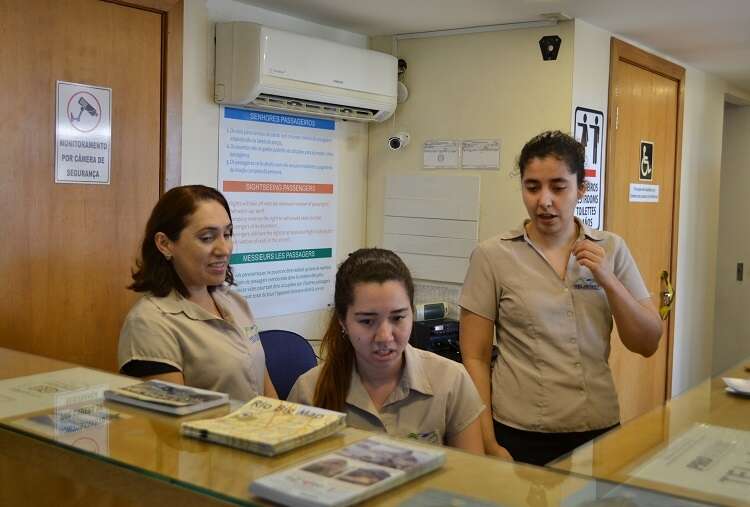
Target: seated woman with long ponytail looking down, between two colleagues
[{"x": 370, "y": 371}]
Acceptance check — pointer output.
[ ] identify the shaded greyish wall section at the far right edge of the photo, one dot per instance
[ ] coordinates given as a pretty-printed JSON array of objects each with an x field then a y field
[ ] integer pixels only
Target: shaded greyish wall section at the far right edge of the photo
[{"x": 732, "y": 329}]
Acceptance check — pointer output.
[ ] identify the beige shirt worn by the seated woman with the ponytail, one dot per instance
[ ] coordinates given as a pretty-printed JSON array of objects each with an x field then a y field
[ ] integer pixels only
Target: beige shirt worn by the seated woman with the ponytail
[{"x": 435, "y": 399}]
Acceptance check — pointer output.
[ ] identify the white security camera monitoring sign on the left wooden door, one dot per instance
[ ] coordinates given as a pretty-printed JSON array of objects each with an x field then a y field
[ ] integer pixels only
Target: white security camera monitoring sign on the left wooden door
[{"x": 83, "y": 134}]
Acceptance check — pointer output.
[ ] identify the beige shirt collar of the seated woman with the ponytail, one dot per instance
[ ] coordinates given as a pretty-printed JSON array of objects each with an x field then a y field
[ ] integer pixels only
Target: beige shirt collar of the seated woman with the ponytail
[{"x": 413, "y": 378}]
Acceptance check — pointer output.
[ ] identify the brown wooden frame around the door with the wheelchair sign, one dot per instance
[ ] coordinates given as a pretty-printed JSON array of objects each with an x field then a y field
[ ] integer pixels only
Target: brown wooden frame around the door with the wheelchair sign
[{"x": 622, "y": 51}]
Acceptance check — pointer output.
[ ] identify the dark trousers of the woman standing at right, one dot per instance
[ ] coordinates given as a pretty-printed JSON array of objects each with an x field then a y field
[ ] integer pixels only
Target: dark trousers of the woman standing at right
[{"x": 541, "y": 448}]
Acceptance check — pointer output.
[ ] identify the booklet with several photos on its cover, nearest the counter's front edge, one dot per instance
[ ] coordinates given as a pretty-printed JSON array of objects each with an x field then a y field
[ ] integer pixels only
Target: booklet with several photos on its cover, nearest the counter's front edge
[{"x": 350, "y": 475}]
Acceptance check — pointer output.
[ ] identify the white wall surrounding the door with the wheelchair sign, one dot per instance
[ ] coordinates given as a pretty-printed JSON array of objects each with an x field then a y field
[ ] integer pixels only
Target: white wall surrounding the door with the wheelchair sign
[{"x": 699, "y": 197}]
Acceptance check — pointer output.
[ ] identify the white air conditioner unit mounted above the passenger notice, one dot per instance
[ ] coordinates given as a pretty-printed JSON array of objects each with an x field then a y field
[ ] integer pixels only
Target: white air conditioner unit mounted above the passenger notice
[{"x": 273, "y": 69}]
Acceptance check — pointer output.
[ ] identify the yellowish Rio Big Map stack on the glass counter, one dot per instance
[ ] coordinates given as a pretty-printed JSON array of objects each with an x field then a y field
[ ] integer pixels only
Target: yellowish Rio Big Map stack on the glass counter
[{"x": 267, "y": 426}]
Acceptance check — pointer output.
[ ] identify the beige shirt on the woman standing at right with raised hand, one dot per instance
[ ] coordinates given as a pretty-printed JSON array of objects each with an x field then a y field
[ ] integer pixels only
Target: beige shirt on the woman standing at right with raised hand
[{"x": 551, "y": 374}]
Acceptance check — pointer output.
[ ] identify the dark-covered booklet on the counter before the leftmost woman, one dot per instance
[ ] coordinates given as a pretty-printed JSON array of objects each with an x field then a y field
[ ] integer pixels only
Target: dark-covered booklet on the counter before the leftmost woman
[{"x": 167, "y": 397}]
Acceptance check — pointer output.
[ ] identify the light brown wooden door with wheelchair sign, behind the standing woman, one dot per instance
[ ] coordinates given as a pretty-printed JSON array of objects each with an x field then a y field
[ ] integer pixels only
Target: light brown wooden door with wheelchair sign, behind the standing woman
[{"x": 645, "y": 107}]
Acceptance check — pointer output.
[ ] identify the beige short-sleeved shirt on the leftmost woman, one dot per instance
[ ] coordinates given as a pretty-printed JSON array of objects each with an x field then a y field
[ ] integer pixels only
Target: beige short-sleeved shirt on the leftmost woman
[{"x": 223, "y": 355}]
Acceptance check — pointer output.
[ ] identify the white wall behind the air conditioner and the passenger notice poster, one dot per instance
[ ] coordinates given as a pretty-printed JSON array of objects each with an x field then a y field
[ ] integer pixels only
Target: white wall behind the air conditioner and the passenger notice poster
[{"x": 200, "y": 129}]
